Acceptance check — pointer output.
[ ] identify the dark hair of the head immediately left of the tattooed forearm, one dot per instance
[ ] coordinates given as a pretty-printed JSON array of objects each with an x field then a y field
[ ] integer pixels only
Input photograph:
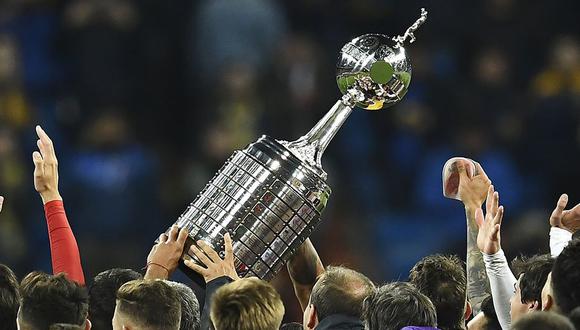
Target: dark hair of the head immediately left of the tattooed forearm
[{"x": 442, "y": 279}]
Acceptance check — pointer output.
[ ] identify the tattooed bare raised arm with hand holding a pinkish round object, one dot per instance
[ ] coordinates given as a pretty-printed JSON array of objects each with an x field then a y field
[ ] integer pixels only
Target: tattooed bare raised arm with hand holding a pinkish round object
[{"x": 472, "y": 192}]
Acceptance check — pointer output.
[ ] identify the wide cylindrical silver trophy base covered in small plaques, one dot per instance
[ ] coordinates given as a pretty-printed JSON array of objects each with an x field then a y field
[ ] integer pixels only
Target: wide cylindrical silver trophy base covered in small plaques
[{"x": 267, "y": 199}]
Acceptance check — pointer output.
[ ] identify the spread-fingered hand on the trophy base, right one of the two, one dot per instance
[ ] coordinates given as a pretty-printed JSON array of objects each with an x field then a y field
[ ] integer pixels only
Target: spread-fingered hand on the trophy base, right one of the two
[{"x": 215, "y": 266}]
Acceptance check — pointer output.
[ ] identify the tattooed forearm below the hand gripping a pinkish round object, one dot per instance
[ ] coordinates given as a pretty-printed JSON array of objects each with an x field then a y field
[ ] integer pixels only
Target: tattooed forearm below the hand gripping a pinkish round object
[{"x": 477, "y": 281}]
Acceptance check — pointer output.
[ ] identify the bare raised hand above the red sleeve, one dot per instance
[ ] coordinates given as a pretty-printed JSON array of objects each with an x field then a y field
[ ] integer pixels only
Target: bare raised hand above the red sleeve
[{"x": 45, "y": 168}]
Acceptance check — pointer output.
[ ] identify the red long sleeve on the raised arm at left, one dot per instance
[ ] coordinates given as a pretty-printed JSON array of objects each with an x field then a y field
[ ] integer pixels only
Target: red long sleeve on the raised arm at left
[{"x": 64, "y": 250}]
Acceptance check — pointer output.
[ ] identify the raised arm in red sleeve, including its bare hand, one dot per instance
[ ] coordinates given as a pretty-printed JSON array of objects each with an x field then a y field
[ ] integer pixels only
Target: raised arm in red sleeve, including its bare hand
[{"x": 64, "y": 250}]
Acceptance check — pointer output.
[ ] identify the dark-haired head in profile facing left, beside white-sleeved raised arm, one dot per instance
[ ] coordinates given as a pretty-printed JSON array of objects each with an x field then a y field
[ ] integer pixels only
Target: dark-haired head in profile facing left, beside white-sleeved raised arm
[{"x": 532, "y": 274}]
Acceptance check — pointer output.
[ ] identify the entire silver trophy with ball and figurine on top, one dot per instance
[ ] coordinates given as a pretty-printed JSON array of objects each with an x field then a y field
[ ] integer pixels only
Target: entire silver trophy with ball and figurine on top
[{"x": 270, "y": 196}]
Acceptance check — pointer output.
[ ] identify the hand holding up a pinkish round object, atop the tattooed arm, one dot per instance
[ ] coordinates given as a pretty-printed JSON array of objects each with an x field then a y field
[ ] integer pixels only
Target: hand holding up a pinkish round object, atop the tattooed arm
[{"x": 472, "y": 191}]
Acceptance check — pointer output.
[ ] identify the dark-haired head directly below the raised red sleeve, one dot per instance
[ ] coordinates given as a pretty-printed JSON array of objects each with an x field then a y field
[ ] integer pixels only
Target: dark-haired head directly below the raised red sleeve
[{"x": 50, "y": 299}]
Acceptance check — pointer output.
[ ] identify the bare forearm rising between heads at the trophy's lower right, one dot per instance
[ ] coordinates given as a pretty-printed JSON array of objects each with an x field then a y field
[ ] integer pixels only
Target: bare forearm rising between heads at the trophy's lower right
[{"x": 304, "y": 269}]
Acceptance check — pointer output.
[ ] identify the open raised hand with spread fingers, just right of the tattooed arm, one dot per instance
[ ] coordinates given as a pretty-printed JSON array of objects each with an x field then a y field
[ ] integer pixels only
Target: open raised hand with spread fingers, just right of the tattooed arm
[{"x": 488, "y": 237}]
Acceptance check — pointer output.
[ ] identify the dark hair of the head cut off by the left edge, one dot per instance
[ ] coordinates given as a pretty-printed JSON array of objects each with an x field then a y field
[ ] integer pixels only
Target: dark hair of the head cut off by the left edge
[{"x": 9, "y": 298}]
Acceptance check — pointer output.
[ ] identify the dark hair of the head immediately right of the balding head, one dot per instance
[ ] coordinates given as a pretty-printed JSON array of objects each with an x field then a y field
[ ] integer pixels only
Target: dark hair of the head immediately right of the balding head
[{"x": 396, "y": 305}]
